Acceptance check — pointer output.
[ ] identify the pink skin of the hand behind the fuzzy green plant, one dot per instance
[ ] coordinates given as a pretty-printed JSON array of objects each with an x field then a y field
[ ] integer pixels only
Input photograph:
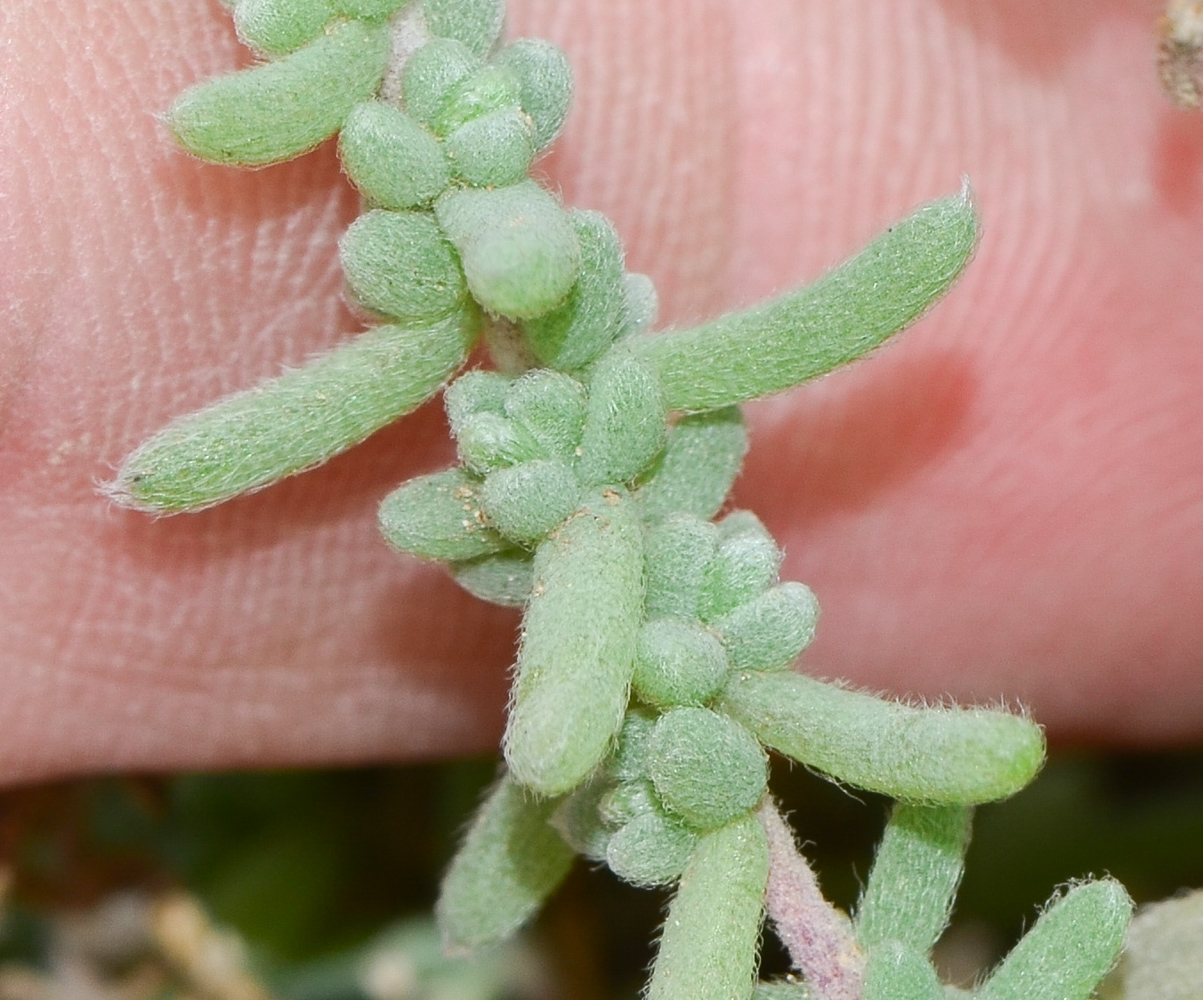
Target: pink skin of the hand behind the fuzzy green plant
[{"x": 1009, "y": 505}]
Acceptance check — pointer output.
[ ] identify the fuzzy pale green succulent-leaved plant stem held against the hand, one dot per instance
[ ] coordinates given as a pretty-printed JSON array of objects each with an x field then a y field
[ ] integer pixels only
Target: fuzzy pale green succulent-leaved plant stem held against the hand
[{"x": 654, "y": 671}]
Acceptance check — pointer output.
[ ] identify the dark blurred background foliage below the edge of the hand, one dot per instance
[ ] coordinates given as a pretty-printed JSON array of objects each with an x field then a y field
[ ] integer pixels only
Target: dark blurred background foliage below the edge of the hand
[{"x": 318, "y": 885}]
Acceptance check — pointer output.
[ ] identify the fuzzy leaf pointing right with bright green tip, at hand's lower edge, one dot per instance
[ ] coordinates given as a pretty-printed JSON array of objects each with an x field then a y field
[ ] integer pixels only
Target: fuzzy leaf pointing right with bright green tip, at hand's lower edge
[{"x": 933, "y": 756}]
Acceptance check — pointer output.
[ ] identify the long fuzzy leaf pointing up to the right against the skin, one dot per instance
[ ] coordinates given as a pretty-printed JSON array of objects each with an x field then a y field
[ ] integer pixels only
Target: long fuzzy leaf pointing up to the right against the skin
[{"x": 809, "y": 333}]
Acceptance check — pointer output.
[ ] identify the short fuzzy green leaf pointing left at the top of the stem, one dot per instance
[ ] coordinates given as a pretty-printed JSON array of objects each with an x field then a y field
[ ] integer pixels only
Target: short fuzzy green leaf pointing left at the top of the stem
[{"x": 283, "y": 109}]
